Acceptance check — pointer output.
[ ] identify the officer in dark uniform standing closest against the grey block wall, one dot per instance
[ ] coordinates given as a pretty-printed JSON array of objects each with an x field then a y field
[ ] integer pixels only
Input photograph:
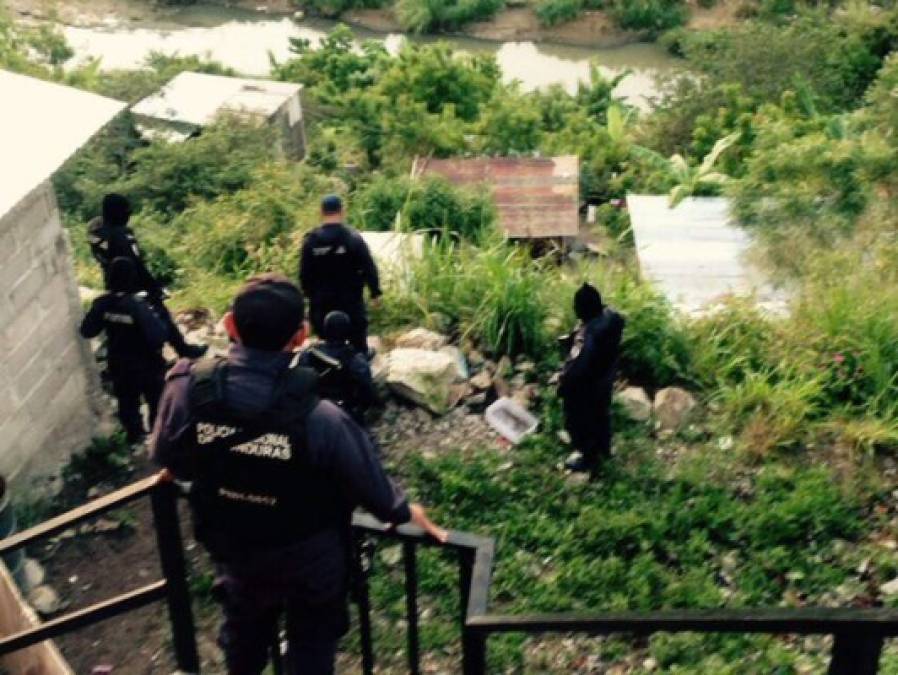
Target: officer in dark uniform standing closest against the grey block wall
[{"x": 134, "y": 338}]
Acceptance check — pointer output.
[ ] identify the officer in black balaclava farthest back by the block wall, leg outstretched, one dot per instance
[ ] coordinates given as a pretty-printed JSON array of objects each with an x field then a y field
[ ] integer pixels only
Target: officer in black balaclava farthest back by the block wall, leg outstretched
[{"x": 110, "y": 237}]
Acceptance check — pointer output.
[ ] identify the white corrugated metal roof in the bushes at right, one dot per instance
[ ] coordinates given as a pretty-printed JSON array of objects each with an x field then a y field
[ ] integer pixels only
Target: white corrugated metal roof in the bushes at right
[{"x": 695, "y": 254}]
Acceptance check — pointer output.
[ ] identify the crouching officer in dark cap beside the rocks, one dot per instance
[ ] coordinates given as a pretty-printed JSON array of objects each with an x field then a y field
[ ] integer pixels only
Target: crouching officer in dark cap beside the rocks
[{"x": 344, "y": 375}]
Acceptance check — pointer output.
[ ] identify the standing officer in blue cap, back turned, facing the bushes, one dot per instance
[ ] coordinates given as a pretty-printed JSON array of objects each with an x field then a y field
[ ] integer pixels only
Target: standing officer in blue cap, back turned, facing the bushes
[{"x": 335, "y": 266}]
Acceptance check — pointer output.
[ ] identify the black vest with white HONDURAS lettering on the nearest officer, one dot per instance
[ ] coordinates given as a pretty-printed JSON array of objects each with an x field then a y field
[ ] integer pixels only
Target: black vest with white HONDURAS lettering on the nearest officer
[{"x": 255, "y": 487}]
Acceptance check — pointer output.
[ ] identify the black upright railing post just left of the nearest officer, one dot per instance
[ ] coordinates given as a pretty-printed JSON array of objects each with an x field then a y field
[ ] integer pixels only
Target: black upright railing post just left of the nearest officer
[{"x": 171, "y": 558}]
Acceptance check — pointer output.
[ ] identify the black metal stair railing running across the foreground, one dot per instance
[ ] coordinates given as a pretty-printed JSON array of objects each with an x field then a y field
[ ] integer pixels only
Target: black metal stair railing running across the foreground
[{"x": 858, "y": 633}]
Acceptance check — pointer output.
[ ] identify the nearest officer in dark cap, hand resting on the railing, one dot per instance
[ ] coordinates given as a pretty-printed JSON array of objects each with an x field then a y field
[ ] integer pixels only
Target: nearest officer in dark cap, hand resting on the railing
[{"x": 276, "y": 475}]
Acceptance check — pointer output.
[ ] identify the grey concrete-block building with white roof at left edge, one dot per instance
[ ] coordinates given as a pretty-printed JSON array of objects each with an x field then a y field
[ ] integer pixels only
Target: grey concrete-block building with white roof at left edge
[{"x": 46, "y": 371}]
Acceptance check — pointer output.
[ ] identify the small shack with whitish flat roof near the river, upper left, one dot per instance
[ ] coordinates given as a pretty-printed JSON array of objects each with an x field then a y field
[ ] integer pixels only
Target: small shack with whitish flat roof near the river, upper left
[{"x": 191, "y": 101}]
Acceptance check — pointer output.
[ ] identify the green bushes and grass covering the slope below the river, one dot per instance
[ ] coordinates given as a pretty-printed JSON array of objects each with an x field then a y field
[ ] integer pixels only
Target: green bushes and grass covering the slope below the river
[{"x": 778, "y": 492}]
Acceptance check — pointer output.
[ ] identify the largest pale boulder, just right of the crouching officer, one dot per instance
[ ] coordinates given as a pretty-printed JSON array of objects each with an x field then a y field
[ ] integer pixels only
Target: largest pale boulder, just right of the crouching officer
[{"x": 424, "y": 377}]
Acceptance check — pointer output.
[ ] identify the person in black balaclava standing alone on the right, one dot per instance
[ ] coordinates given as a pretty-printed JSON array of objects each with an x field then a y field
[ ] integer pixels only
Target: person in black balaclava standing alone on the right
[{"x": 587, "y": 380}]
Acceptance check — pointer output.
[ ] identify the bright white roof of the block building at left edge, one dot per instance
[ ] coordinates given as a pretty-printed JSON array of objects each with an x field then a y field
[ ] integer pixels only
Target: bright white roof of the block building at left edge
[{"x": 41, "y": 125}]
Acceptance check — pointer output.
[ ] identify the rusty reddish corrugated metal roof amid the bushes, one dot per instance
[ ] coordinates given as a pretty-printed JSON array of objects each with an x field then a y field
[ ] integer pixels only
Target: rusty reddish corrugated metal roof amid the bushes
[{"x": 535, "y": 196}]
